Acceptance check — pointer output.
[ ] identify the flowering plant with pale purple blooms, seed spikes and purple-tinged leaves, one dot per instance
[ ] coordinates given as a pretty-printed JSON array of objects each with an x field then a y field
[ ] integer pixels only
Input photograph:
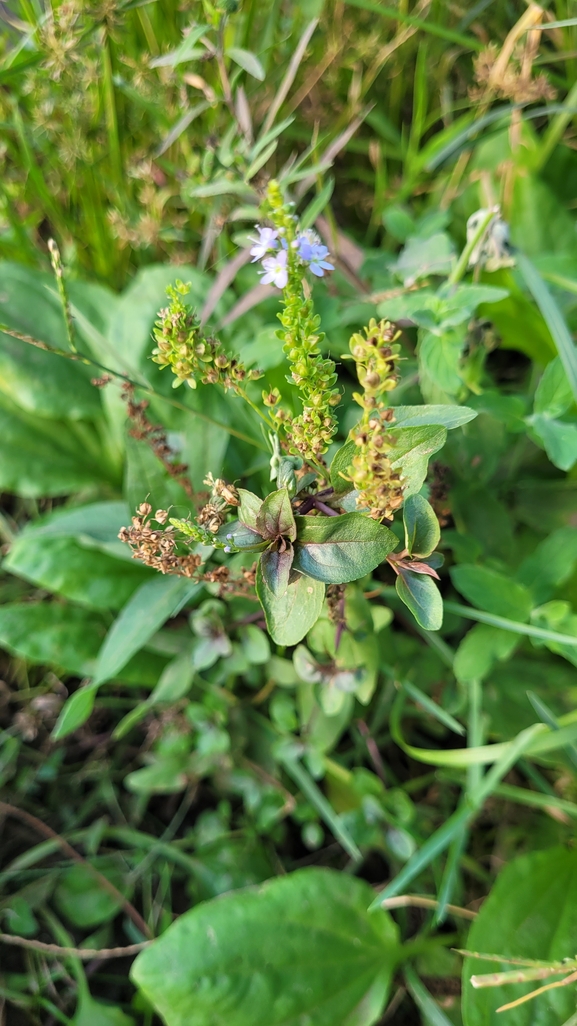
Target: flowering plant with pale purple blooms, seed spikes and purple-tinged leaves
[{"x": 325, "y": 525}]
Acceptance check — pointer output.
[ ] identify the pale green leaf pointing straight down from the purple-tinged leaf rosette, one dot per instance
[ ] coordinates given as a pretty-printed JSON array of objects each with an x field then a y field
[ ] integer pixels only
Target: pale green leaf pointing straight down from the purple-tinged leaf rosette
[{"x": 291, "y": 616}]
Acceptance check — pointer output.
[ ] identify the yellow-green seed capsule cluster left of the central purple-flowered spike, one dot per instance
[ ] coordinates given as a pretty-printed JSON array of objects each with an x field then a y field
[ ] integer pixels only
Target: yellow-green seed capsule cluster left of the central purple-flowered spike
[{"x": 191, "y": 357}]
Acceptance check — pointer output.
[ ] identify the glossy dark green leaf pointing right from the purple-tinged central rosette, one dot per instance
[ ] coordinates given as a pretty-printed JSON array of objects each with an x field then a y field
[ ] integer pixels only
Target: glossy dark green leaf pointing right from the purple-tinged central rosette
[{"x": 342, "y": 548}]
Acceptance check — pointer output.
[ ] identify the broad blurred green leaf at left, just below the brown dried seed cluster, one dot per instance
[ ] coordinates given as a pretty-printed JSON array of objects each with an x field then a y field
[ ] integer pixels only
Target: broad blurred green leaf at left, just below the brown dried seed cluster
[{"x": 65, "y": 567}]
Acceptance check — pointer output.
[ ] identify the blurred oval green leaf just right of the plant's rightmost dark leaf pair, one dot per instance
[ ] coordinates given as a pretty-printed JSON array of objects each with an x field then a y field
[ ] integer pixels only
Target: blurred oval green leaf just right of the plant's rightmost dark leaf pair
[{"x": 492, "y": 591}]
